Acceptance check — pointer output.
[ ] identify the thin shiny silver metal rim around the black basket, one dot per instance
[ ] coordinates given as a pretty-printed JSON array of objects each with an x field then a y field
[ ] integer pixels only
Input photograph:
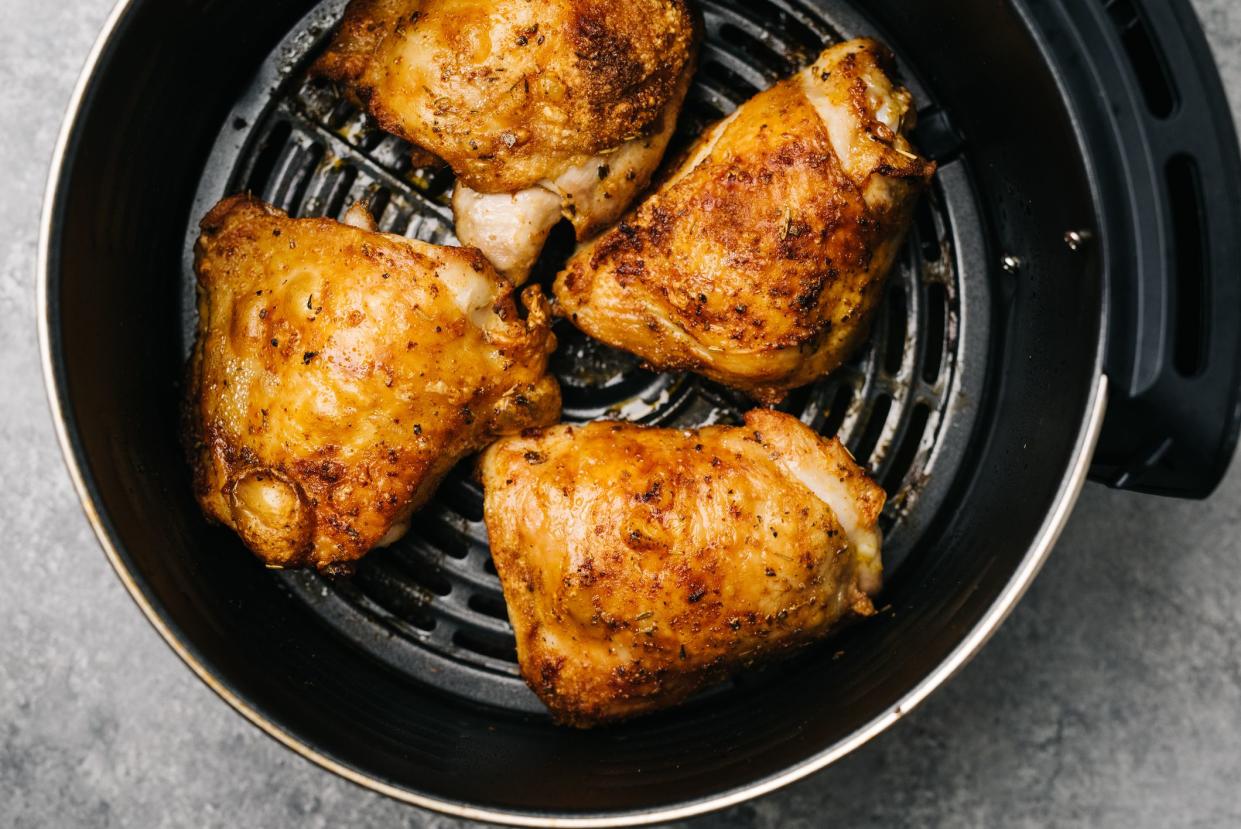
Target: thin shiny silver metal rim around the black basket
[{"x": 1073, "y": 481}]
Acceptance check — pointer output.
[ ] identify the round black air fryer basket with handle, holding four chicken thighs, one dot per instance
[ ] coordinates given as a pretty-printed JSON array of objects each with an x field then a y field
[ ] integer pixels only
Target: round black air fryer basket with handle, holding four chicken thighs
[{"x": 1043, "y": 255}]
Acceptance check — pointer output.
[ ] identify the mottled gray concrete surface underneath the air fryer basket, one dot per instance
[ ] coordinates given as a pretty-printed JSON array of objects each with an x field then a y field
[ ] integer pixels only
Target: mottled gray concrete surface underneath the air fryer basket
[{"x": 1113, "y": 697}]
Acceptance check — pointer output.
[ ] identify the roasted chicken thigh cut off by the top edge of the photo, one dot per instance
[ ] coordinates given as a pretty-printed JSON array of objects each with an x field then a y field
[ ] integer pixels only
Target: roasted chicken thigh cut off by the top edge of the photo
[{"x": 545, "y": 111}]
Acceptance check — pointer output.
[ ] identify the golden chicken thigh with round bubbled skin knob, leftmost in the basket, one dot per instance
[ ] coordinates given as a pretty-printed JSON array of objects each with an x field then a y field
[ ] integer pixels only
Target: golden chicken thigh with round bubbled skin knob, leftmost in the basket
[{"x": 341, "y": 373}]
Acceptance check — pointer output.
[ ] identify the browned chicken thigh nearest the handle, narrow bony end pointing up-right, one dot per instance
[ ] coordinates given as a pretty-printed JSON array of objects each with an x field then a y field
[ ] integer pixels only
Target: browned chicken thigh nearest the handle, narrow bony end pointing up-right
[{"x": 761, "y": 260}]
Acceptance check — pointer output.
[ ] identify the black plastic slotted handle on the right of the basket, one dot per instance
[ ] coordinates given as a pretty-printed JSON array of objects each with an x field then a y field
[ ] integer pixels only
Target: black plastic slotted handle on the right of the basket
[{"x": 1175, "y": 270}]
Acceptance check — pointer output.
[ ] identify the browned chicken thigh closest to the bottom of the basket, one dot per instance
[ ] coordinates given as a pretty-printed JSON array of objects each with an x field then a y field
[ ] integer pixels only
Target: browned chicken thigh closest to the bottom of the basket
[{"x": 641, "y": 565}]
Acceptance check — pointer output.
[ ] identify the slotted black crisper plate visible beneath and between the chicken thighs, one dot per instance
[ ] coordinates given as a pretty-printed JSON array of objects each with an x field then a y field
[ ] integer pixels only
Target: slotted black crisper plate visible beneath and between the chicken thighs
[{"x": 431, "y": 606}]
